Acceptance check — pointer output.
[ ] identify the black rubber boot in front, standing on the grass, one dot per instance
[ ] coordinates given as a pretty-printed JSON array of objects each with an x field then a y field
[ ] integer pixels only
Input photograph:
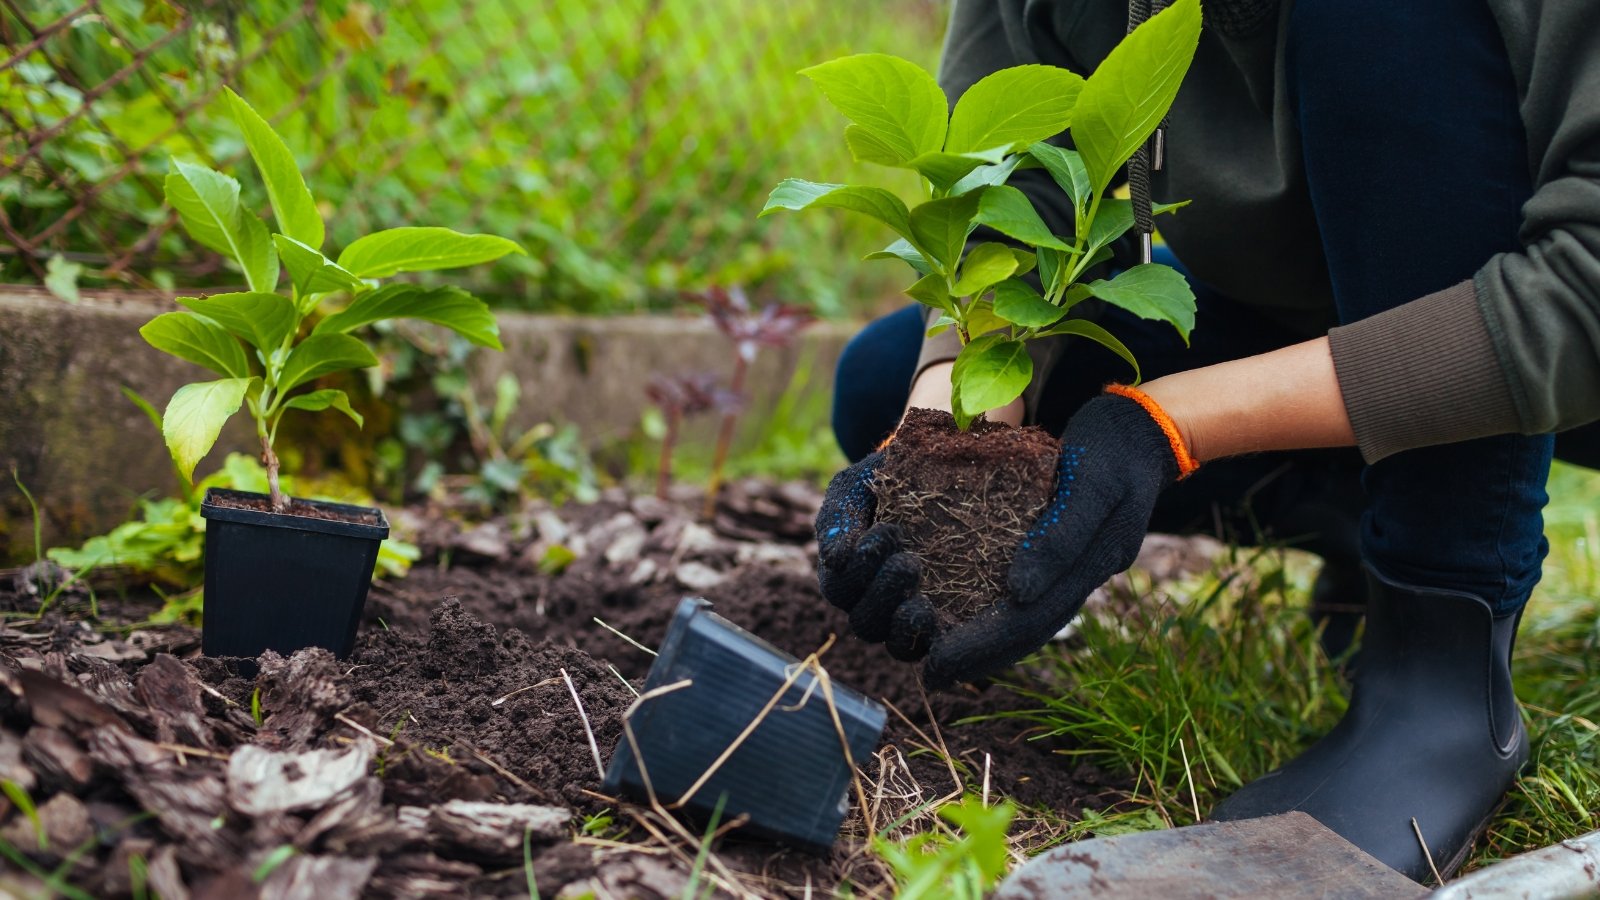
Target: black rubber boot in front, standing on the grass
[{"x": 1433, "y": 734}]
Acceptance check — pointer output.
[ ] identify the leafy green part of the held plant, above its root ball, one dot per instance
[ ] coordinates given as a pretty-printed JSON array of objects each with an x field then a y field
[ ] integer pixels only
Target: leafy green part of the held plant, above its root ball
[{"x": 902, "y": 119}]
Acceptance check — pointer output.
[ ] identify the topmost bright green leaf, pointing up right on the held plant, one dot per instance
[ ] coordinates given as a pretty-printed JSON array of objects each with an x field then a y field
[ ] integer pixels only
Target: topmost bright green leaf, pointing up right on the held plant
[{"x": 1132, "y": 90}]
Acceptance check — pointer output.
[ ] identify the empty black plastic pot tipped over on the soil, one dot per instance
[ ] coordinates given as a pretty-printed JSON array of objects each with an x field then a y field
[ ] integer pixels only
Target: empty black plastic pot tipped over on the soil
[{"x": 790, "y": 776}]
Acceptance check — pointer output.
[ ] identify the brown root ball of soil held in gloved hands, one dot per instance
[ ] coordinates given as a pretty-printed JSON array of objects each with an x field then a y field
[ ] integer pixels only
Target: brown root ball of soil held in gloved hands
[{"x": 964, "y": 502}]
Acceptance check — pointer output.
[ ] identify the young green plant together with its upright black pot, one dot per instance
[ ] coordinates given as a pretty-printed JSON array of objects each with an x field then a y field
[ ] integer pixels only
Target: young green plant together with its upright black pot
[{"x": 281, "y": 573}]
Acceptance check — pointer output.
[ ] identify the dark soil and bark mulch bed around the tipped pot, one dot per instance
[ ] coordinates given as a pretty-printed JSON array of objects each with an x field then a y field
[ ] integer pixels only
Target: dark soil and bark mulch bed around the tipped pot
[{"x": 418, "y": 766}]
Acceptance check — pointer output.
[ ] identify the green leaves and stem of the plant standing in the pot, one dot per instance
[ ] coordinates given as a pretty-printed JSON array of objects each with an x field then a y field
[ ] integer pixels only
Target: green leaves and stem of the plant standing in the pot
[{"x": 258, "y": 340}]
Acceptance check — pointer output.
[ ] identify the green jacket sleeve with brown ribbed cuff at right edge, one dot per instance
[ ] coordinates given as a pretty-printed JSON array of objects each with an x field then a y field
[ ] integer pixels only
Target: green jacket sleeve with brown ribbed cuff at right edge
[{"x": 1518, "y": 348}]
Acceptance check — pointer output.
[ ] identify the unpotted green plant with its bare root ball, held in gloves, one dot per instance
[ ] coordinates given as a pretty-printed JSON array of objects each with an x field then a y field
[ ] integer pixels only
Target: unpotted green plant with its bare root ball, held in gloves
[{"x": 966, "y": 489}]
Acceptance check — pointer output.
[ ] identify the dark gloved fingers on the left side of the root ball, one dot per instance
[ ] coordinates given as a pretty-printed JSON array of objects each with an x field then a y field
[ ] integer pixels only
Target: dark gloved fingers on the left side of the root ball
[{"x": 865, "y": 571}]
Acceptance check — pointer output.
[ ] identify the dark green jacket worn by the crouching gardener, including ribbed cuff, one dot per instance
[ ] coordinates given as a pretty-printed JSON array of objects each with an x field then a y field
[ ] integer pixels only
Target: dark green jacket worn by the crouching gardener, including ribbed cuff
[{"x": 1514, "y": 350}]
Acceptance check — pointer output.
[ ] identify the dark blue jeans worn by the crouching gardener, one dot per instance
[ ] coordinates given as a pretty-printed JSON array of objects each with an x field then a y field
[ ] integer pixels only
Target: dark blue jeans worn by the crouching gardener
[{"x": 1417, "y": 167}]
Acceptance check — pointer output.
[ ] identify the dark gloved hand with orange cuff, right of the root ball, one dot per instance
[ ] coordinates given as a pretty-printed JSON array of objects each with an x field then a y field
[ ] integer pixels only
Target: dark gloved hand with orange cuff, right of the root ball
[{"x": 1118, "y": 456}]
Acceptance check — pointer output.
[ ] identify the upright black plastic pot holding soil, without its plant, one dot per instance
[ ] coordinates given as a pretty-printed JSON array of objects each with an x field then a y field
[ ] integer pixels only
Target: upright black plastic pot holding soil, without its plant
[{"x": 282, "y": 581}]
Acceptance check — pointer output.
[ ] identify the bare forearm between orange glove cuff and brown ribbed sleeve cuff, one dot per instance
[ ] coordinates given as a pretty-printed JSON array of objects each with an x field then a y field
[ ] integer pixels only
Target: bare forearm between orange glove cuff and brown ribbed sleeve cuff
[{"x": 1286, "y": 400}]
